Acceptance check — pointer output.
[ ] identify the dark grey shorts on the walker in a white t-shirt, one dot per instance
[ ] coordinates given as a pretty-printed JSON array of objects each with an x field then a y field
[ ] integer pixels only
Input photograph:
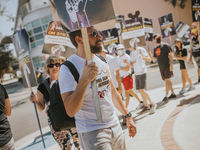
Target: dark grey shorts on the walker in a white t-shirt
[{"x": 140, "y": 81}]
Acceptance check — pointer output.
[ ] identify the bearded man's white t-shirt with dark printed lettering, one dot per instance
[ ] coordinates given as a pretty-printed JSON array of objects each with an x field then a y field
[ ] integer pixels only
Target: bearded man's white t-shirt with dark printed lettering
[{"x": 86, "y": 117}]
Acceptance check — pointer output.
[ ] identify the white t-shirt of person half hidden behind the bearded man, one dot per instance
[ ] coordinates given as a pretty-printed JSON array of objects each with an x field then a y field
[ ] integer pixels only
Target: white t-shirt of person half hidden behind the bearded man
[{"x": 113, "y": 66}]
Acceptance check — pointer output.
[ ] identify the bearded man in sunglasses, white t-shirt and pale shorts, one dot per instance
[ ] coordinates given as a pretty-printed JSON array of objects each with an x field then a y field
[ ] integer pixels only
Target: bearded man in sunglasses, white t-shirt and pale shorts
[{"x": 79, "y": 102}]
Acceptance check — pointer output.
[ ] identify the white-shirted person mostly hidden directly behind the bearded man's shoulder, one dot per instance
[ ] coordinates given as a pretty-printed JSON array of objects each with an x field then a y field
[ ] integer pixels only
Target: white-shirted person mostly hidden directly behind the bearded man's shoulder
[{"x": 114, "y": 69}]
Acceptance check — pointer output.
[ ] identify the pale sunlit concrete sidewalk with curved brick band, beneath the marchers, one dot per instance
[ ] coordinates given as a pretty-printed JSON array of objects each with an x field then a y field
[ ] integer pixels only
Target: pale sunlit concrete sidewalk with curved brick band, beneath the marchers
[{"x": 174, "y": 125}]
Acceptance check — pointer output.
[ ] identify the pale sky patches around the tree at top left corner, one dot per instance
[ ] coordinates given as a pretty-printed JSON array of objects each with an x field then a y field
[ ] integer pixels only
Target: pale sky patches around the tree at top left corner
[{"x": 5, "y": 24}]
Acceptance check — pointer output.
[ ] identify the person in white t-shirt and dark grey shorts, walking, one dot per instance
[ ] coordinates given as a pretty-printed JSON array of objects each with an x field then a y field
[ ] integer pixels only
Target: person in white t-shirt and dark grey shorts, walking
[{"x": 137, "y": 62}]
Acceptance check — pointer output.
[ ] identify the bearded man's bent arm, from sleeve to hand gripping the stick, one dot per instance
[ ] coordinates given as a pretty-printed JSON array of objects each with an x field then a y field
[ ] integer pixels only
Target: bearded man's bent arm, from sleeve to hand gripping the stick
[{"x": 73, "y": 100}]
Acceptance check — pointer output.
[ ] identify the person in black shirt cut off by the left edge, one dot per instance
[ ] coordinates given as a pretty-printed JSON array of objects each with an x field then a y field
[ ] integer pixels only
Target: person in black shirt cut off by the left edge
[{"x": 6, "y": 138}]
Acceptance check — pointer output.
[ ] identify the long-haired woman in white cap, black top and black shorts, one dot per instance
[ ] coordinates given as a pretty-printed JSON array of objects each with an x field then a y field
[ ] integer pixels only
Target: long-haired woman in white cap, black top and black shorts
[{"x": 181, "y": 55}]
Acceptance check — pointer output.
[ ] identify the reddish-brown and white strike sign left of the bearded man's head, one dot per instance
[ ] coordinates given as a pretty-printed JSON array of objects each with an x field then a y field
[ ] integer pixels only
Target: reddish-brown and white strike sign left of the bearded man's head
[{"x": 57, "y": 42}]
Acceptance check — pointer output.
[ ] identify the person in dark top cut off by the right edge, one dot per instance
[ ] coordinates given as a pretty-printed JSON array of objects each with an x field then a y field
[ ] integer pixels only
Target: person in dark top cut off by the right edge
[{"x": 195, "y": 49}]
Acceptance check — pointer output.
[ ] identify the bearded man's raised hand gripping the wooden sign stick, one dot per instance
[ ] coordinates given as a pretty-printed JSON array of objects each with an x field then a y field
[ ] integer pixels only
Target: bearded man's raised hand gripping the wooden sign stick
[{"x": 90, "y": 72}]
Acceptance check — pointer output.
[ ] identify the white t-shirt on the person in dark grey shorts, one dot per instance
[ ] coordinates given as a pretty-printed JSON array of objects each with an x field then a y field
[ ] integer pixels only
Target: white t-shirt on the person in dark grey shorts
[{"x": 139, "y": 65}]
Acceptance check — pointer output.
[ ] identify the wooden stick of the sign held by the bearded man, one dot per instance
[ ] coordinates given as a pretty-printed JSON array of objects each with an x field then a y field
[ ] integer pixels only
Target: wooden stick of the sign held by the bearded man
[{"x": 93, "y": 83}]
